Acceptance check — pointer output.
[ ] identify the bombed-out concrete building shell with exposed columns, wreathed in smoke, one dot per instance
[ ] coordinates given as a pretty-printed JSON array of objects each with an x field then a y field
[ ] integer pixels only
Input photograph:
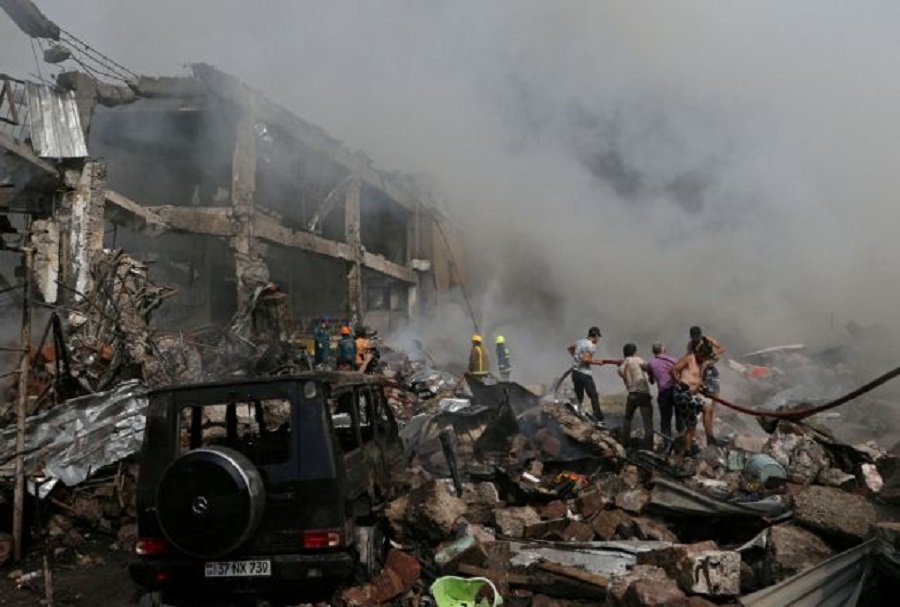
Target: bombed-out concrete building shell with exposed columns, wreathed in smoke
[{"x": 221, "y": 191}]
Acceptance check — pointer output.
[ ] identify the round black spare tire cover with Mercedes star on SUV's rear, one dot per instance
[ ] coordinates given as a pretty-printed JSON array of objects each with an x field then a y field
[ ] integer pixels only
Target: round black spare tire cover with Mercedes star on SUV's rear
[{"x": 210, "y": 501}]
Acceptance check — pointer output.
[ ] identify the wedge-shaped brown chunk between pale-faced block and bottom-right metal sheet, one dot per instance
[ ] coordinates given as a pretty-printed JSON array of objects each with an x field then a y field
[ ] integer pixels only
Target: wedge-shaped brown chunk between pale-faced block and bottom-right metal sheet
[{"x": 791, "y": 550}]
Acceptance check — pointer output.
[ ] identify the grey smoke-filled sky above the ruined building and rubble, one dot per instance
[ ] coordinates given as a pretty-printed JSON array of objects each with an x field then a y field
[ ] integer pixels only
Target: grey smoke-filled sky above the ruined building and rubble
[{"x": 641, "y": 166}]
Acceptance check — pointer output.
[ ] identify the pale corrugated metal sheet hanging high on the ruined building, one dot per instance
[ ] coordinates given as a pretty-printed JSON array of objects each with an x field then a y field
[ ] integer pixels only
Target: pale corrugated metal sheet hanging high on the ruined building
[{"x": 55, "y": 126}]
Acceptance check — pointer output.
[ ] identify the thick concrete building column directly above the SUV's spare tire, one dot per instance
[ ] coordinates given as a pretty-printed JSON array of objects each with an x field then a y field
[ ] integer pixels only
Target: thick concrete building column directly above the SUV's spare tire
[{"x": 250, "y": 268}]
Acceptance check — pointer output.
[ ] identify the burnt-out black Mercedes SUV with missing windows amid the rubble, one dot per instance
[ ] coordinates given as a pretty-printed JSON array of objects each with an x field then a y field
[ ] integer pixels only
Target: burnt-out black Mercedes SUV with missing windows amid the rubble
[{"x": 258, "y": 485}]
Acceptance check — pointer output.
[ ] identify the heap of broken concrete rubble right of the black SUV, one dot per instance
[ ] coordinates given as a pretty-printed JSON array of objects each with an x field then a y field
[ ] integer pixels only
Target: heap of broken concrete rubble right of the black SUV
[{"x": 563, "y": 514}]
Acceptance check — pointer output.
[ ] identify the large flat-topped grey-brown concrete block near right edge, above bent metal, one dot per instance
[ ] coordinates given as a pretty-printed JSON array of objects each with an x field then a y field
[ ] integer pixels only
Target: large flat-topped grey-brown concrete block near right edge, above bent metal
[{"x": 834, "y": 513}]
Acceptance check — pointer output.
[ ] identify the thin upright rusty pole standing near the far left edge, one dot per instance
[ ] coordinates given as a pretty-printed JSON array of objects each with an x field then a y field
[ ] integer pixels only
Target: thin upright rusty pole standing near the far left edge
[{"x": 22, "y": 410}]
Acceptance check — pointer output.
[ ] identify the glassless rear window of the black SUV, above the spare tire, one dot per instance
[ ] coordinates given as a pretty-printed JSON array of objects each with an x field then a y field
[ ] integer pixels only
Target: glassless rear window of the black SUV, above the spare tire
[{"x": 259, "y": 429}]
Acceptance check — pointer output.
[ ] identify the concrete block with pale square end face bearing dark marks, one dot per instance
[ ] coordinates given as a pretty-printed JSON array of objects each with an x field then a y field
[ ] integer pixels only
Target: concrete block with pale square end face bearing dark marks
[{"x": 699, "y": 568}]
